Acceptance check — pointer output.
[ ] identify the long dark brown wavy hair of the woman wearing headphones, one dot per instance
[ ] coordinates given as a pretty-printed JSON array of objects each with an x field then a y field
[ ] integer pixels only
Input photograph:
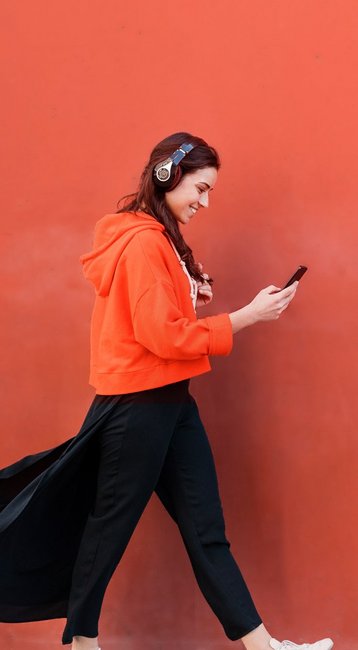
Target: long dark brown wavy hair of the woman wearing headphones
[{"x": 150, "y": 198}]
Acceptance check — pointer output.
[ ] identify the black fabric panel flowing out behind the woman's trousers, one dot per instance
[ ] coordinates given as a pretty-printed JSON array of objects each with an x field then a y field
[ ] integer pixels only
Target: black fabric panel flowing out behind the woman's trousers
[{"x": 45, "y": 499}]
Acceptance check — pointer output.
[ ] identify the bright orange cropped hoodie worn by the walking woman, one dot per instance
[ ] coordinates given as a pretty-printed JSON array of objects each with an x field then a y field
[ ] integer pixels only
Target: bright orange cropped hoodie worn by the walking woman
[{"x": 144, "y": 329}]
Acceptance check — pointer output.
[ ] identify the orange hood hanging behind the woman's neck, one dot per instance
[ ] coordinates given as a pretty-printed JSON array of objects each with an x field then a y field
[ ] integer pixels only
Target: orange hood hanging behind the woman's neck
[{"x": 111, "y": 236}]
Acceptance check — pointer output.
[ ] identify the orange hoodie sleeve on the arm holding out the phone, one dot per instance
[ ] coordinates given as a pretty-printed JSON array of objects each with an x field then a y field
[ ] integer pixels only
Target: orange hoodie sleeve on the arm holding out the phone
[{"x": 157, "y": 319}]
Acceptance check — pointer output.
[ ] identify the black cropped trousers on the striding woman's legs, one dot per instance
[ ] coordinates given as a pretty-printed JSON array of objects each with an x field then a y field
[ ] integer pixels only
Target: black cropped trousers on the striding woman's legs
[{"x": 154, "y": 440}]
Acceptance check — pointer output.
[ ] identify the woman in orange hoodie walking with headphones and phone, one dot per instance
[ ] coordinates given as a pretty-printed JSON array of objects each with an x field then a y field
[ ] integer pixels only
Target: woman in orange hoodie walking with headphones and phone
[{"x": 143, "y": 431}]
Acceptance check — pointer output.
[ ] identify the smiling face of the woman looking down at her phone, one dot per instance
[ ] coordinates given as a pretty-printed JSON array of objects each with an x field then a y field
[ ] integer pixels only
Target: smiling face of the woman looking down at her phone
[{"x": 191, "y": 194}]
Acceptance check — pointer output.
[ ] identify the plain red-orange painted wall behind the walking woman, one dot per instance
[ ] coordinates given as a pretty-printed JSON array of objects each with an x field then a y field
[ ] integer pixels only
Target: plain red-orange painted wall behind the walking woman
[{"x": 87, "y": 89}]
